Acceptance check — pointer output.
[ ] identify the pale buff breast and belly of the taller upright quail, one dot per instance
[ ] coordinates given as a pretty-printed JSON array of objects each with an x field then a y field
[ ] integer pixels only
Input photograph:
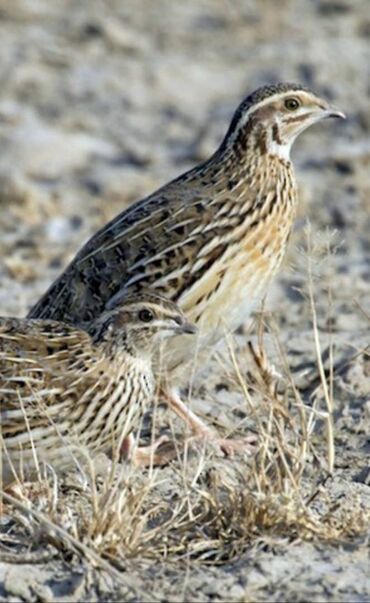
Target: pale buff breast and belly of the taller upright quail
[{"x": 236, "y": 282}]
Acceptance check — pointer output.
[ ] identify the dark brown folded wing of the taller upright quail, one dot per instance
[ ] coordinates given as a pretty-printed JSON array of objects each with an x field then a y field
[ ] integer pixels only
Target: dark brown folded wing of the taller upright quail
[{"x": 151, "y": 244}]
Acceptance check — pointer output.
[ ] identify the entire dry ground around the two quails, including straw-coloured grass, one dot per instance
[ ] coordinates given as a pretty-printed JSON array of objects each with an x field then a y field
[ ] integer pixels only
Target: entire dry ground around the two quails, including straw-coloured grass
[{"x": 101, "y": 102}]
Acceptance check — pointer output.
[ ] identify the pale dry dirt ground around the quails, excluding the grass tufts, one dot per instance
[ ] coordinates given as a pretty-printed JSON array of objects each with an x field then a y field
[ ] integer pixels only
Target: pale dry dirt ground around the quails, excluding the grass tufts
[{"x": 102, "y": 102}]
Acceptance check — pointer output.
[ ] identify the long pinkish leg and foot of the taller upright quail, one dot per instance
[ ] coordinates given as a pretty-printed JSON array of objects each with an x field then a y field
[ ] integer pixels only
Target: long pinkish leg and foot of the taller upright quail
[{"x": 201, "y": 431}]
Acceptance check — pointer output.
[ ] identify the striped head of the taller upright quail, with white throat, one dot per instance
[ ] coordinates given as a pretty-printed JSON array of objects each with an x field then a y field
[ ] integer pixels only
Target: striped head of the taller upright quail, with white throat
[{"x": 269, "y": 120}]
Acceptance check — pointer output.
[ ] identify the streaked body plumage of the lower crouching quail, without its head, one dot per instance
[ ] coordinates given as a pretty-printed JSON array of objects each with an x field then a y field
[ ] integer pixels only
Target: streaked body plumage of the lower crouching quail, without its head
[{"x": 62, "y": 397}]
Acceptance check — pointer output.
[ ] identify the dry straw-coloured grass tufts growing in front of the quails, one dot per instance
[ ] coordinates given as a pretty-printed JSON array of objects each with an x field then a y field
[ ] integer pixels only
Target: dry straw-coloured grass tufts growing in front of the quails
[{"x": 202, "y": 507}]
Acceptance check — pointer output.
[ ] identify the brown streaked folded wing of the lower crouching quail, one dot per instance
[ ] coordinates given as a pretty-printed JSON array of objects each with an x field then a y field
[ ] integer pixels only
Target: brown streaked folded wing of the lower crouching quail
[{"x": 38, "y": 365}]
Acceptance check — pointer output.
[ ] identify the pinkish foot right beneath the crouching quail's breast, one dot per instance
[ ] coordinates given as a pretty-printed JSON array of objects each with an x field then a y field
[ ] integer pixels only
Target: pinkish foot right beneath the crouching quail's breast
[{"x": 146, "y": 456}]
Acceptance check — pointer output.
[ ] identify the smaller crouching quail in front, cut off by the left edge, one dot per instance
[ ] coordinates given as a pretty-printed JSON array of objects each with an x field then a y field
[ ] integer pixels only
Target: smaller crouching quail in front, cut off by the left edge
[{"x": 64, "y": 391}]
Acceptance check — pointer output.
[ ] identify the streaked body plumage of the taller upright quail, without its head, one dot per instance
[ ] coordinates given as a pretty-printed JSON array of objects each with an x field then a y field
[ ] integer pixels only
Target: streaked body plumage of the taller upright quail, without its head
[{"x": 214, "y": 254}]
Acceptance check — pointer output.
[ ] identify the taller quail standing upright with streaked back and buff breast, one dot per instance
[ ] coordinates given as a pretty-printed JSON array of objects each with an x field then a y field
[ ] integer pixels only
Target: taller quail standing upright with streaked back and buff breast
[{"x": 210, "y": 240}]
